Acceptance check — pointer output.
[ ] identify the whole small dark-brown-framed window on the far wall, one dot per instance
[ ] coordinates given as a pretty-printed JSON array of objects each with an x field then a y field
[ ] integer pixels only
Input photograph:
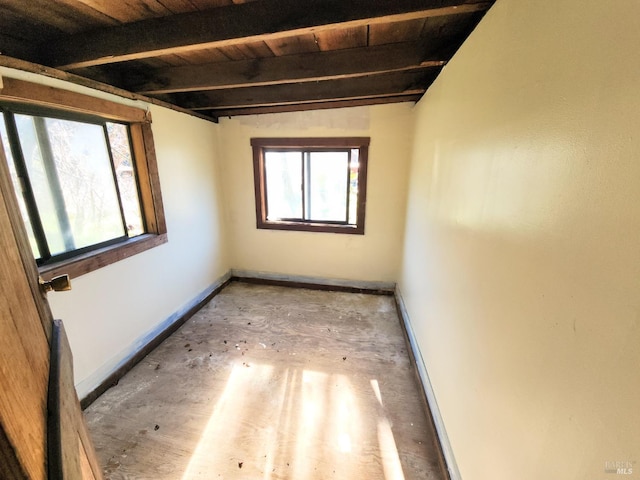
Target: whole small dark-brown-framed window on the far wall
[{"x": 311, "y": 184}]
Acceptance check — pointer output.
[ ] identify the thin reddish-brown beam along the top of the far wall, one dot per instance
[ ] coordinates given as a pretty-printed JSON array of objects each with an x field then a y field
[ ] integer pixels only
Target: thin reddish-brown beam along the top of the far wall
[{"x": 232, "y": 112}]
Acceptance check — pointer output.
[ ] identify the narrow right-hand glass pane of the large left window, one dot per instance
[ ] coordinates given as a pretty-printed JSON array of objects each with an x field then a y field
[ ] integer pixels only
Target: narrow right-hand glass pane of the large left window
[{"x": 126, "y": 176}]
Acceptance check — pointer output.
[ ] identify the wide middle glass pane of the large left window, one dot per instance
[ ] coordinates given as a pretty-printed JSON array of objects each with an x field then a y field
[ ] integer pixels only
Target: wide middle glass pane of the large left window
[{"x": 70, "y": 170}]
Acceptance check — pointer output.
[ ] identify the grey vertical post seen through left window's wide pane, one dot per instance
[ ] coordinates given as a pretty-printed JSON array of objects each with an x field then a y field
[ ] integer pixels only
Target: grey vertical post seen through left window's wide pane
[{"x": 53, "y": 180}]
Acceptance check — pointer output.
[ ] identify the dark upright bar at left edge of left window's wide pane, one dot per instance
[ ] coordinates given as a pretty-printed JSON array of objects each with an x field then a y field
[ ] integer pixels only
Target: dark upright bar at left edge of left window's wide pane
[{"x": 26, "y": 187}]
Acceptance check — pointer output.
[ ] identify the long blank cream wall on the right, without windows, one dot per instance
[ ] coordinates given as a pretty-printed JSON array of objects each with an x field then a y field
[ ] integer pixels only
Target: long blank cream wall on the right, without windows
[{"x": 521, "y": 269}]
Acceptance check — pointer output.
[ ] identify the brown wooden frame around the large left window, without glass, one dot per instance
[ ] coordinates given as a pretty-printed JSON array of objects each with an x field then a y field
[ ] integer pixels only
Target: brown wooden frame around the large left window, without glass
[{"x": 144, "y": 156}]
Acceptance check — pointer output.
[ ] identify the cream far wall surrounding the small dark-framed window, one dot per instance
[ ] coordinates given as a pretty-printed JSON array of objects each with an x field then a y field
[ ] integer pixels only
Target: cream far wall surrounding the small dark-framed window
[{"x": 372, "y": 257}]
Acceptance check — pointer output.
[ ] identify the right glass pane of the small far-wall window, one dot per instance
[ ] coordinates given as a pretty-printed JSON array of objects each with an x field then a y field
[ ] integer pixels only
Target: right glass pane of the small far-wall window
[{"x": 327, "y": 198}]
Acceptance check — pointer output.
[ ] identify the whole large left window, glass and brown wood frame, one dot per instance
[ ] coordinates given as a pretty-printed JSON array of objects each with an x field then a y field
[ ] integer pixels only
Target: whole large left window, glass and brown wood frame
[{"x": 85, "y": 175}]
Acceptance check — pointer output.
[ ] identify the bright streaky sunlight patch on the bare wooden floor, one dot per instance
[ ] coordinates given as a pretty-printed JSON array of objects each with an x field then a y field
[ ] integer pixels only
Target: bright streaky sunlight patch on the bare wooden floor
[{"x": 315, "y": 427}]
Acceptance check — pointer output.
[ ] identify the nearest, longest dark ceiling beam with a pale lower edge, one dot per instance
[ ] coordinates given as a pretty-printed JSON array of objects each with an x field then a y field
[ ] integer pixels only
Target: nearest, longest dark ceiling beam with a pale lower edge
[{"x": 233, "y": 24}]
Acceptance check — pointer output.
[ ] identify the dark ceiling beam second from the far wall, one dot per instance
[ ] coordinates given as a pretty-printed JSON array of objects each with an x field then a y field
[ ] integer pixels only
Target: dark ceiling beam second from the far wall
[{"x": 386, "y": 85}]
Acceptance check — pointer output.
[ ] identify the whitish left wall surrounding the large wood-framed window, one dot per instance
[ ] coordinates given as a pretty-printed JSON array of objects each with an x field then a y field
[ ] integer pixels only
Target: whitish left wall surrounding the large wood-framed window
[{"x": 111, "y": 310}]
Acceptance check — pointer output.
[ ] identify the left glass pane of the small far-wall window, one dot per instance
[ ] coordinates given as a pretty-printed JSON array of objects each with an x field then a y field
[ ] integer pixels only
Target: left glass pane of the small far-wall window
[{"x": 284, "y": 184}]
